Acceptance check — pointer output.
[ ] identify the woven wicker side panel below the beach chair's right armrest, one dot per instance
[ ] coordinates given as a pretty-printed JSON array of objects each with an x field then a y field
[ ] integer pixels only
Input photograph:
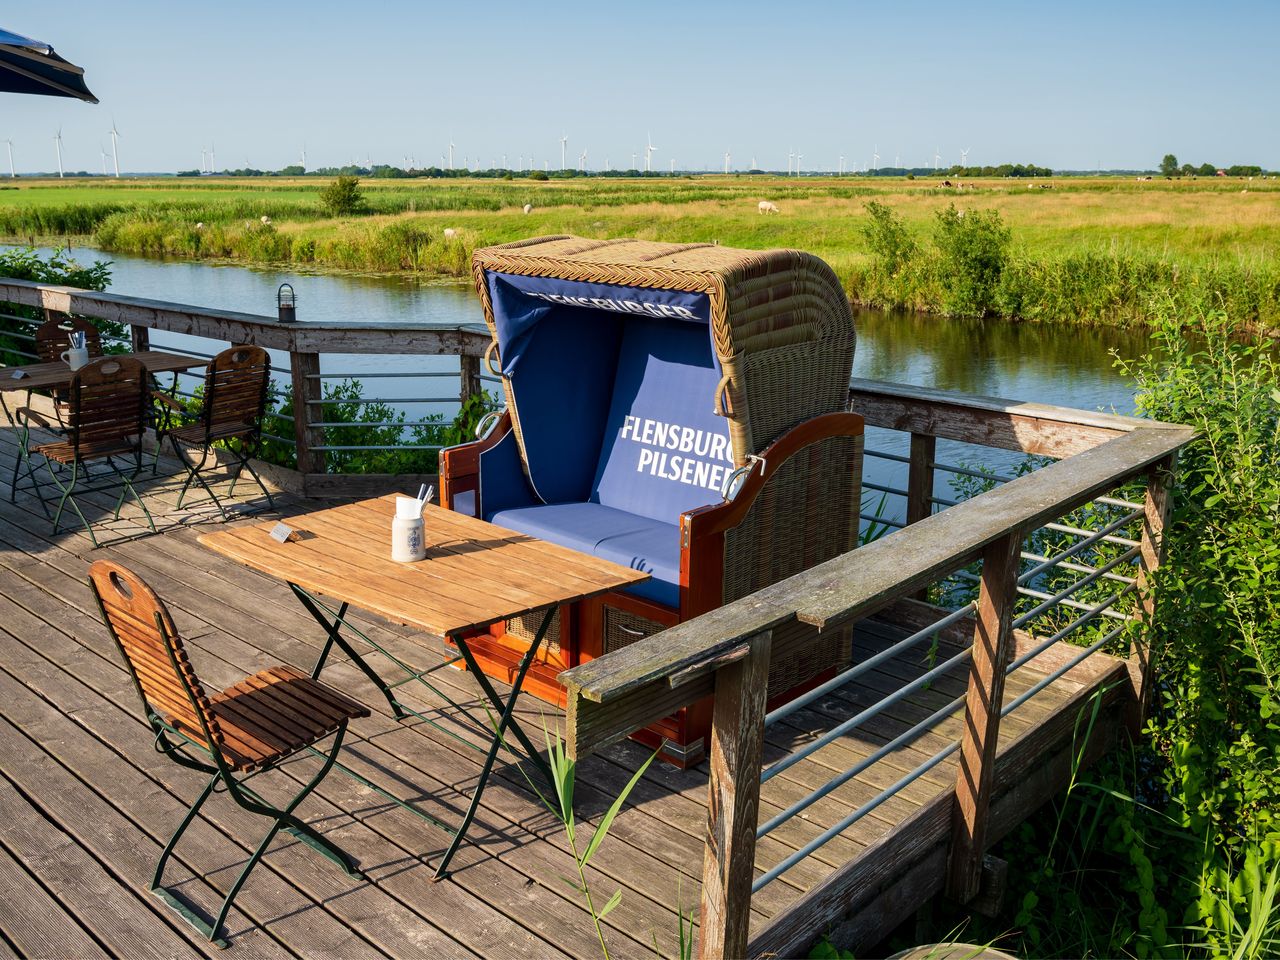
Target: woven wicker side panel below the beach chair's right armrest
[{"x": 806, "y": 515}]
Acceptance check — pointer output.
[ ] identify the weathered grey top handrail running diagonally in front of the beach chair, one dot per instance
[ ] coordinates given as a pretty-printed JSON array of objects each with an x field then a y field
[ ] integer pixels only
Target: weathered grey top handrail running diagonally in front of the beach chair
[{"x": 627, "y": 689}]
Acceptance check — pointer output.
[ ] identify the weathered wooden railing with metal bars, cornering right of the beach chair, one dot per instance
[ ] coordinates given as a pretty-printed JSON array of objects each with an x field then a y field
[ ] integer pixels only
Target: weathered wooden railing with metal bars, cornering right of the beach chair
[{"x": 728, "y": 652}]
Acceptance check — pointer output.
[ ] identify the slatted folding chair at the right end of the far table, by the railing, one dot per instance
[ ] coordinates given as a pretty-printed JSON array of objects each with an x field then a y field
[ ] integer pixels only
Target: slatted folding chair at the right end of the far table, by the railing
[{"x": 235, "y": 401}]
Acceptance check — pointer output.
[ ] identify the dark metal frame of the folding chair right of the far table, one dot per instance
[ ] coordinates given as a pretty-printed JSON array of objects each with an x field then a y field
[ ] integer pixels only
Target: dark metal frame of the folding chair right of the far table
[{"x": 249, "y": 444}]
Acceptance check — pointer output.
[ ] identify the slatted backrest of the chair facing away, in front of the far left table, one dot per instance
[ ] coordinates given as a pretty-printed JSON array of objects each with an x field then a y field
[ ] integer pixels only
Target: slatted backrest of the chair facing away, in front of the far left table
[{"x": 108, "y": 403}]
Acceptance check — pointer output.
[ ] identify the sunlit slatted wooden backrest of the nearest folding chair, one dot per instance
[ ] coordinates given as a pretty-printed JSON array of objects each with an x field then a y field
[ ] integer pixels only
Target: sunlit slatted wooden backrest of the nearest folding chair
[{"x": 154, "y": 653}]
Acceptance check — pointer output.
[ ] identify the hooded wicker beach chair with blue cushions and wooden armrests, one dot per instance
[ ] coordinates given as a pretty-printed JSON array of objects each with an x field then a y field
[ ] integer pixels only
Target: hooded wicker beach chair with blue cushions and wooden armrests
[{"x": 680, "y": 409}]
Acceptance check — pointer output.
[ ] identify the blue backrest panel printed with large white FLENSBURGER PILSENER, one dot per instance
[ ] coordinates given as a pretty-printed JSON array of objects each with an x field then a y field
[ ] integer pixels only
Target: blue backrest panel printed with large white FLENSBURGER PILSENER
[{"x": 665, "y": 451}]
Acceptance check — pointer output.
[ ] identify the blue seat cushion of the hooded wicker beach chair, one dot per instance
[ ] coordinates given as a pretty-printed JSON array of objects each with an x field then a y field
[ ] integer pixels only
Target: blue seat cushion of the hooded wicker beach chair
[{"x": 611, "y": 534}]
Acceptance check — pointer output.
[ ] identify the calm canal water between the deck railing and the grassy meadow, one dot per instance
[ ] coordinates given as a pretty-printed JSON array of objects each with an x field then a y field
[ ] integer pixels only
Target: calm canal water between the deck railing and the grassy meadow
[{"x": 1048, "y": 364}]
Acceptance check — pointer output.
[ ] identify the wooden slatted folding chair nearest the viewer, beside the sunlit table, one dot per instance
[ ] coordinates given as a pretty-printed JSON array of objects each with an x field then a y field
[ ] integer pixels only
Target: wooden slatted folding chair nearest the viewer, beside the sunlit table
[{"x": 243, "y": 732}]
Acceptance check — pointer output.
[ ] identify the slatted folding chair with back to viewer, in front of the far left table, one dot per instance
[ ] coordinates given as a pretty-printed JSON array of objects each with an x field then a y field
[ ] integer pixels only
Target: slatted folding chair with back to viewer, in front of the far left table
[{"x": 107, "y": 417}]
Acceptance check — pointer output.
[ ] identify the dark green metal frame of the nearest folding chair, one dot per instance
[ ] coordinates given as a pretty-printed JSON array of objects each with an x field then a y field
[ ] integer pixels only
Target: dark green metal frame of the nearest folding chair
[{"x": 180, "y": 748}]
